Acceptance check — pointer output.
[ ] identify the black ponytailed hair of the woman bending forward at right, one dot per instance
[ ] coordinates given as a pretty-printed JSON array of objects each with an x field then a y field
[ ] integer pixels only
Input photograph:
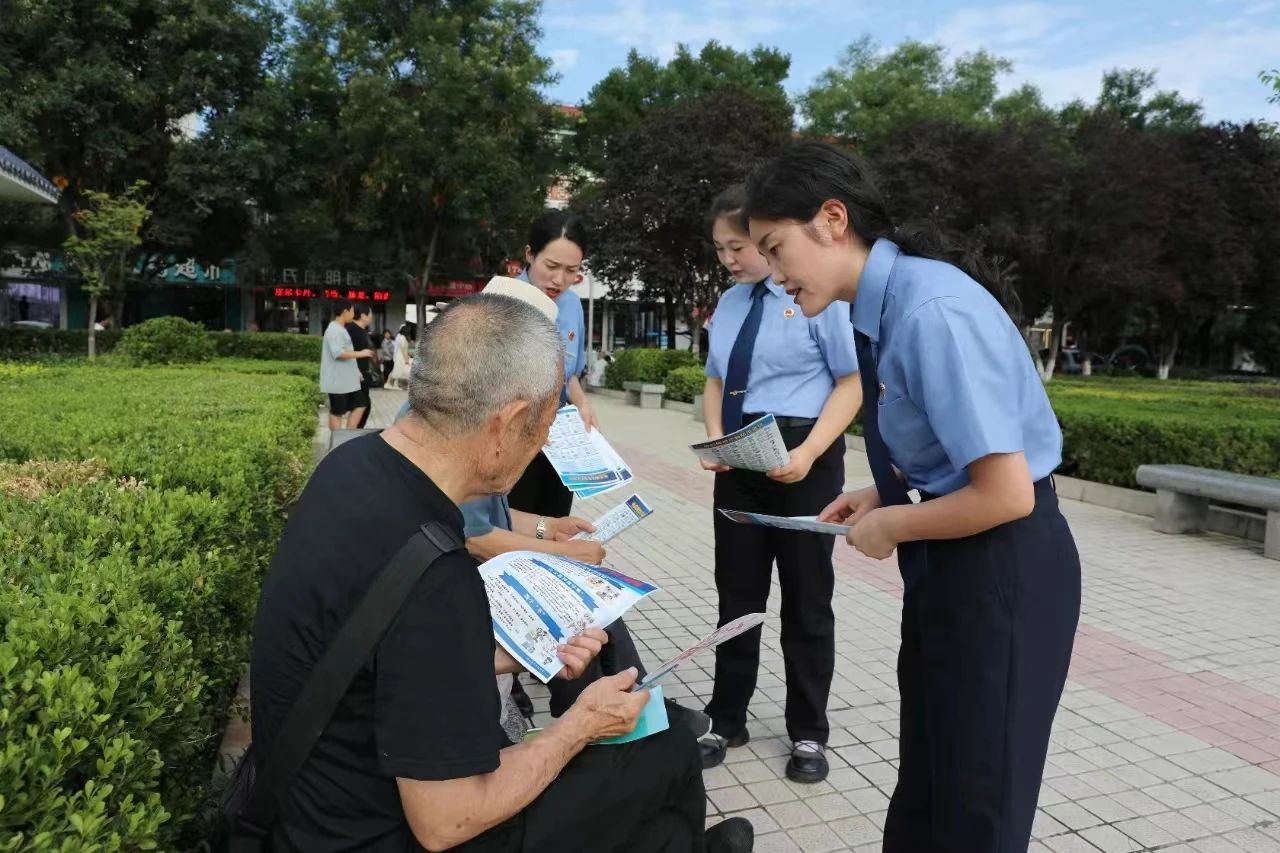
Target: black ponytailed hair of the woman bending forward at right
[{"x": 807, "y": 175}]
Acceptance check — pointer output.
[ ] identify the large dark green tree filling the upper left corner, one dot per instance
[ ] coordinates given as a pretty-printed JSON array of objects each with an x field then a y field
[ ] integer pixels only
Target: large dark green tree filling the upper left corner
[{"x": 97, "y": 93}]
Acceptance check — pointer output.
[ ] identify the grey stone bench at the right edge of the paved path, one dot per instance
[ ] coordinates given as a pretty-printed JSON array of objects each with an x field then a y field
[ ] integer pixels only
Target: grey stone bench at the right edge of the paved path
[{"x": 1183, "y": 495}]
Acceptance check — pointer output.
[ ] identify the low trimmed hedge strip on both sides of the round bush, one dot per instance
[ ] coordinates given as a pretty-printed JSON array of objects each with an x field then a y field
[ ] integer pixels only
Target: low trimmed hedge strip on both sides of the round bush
[{"x": 276, "y": 346}]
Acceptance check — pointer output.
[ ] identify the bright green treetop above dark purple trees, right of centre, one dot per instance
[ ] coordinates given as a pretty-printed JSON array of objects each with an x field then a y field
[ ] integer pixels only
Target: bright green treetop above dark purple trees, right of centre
[{"x": 870, "y": 97}]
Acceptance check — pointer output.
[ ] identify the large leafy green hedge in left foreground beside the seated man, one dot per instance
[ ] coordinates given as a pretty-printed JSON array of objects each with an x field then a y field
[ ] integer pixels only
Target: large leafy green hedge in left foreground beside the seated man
[{"x": 130, "y": 587}]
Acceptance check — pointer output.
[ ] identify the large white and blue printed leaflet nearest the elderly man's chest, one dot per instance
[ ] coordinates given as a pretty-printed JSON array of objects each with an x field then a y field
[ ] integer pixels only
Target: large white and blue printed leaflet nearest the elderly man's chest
[{"x": 541, "y": 601}]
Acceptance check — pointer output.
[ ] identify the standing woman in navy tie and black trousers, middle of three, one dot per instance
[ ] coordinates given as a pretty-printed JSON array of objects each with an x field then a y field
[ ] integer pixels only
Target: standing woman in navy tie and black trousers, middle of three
[{"x": 767, "y": 359}]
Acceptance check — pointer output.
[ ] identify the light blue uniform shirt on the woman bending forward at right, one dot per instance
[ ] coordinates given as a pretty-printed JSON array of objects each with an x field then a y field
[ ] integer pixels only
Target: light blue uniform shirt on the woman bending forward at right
[{"x": 957, "y": 378}]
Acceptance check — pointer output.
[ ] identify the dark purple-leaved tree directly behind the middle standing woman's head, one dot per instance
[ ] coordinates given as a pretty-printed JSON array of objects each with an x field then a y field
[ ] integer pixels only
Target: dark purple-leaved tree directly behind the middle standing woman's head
[{"x": 648, "y": 212}]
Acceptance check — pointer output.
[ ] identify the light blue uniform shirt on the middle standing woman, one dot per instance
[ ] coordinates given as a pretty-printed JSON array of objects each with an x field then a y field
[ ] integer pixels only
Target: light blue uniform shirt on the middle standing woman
[{"x": 797, "y": 359}]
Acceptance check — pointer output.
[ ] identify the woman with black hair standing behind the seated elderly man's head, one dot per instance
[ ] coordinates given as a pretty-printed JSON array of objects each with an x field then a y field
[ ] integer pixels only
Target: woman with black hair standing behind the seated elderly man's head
[{"x": 554, "y": 258}]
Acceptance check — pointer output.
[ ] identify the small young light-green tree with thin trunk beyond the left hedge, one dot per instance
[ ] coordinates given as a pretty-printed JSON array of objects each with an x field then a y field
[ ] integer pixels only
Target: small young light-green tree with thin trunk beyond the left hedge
[{"x": 111, "y": 231}]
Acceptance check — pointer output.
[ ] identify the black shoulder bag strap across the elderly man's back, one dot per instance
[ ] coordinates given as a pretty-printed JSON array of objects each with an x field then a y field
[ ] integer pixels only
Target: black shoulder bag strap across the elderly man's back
[{"x": 328, "y": 683}]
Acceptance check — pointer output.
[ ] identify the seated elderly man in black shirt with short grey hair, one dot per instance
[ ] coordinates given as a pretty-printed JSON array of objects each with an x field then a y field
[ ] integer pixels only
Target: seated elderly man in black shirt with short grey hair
[{"x": 415, "y": 758}]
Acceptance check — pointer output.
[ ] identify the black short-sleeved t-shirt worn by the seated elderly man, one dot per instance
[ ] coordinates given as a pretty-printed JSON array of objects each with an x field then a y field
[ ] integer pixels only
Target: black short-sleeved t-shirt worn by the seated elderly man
[{"x": 426, "y": 708}]
